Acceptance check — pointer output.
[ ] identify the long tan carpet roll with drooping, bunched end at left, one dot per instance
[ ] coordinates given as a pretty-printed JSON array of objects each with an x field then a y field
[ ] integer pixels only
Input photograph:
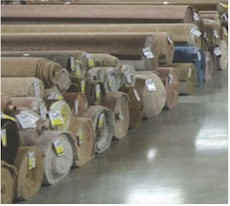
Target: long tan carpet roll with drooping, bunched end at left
[{"x": 48, "y": 71}]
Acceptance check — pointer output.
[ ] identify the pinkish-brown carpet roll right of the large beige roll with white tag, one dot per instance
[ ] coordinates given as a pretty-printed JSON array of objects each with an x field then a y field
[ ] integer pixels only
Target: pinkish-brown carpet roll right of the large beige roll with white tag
[{"x": 169, "y": 78}]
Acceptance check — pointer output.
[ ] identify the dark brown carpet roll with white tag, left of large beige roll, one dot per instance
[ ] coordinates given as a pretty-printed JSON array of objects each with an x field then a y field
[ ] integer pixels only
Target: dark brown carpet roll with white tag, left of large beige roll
[{"x": 136, "y": 108}]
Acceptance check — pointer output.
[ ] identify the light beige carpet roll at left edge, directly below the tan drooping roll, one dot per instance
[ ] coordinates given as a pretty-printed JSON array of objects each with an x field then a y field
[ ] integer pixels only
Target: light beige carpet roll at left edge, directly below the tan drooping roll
[{"x": 22, "y": 87}]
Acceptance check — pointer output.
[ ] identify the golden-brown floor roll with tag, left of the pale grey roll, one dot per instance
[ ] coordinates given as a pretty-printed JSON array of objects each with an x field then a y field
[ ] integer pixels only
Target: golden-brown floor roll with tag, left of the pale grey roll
[{"x": 29, "y": 164}]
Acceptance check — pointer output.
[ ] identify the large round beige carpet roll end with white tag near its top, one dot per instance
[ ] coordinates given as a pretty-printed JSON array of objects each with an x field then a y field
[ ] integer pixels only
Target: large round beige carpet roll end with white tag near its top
[{"x": 152, "y": 92}]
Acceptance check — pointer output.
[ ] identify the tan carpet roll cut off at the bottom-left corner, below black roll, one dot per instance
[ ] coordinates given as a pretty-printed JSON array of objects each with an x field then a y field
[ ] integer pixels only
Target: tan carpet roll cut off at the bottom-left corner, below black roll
[{"x": 8, "y": 183}]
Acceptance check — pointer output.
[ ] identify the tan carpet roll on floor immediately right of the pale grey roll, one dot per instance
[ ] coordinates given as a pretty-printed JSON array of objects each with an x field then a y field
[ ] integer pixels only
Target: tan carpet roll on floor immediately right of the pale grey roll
[{"x": 82, "y": 129}]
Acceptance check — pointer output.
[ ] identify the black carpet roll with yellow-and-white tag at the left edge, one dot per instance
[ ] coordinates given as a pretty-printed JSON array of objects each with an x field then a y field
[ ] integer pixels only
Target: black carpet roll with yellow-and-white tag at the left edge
[{"x": 9, "y": 140}]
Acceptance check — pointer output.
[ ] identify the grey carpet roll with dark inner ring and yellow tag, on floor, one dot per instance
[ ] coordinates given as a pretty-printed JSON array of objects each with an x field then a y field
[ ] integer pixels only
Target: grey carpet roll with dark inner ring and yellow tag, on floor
[{"x": 103, "y": 124}]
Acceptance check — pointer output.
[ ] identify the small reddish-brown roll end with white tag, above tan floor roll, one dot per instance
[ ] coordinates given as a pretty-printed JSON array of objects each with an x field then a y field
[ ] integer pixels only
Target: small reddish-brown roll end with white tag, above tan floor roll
[{"x": 77, "y": 101}]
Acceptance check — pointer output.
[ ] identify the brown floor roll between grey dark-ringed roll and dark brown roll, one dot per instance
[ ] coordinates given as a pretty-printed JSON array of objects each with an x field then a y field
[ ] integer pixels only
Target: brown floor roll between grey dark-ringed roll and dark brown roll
[{"x": 118, "y": 103}]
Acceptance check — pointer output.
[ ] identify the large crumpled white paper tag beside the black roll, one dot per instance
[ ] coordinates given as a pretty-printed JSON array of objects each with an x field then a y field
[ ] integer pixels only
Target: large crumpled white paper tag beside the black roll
[{"x": 27, "y": 119}]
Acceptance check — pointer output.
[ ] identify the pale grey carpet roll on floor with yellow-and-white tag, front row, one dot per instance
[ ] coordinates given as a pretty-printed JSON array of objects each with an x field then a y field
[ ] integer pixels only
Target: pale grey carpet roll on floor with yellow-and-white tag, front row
[{"x": 58, "y": 156}]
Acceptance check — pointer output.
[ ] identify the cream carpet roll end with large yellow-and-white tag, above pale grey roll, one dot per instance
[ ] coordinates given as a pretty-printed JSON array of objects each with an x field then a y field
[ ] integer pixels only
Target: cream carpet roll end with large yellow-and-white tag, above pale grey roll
[{"x": 60, "y": 115}]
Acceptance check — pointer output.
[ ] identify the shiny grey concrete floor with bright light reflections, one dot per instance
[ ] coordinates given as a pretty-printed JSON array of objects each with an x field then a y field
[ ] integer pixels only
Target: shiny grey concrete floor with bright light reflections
[{"x": 178, "y": 157}]
